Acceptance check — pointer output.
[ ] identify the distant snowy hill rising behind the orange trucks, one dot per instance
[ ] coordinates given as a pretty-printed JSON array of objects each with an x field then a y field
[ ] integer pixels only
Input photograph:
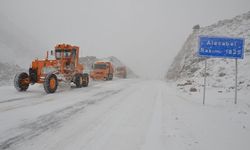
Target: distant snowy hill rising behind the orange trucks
[{"x": 88, "y": 61}]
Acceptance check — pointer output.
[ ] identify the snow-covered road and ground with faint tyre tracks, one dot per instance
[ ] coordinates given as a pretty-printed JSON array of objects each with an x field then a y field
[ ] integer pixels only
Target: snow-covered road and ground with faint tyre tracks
[{"x": 127, "y": 114}]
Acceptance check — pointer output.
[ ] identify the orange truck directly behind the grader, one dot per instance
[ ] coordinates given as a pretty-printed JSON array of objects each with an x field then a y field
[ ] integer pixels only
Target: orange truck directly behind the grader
[{"x": 102, "y": 71}]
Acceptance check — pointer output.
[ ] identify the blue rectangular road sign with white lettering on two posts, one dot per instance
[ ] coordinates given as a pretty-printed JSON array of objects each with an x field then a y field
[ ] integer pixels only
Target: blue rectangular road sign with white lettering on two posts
[{"x": 221, "y": 47}]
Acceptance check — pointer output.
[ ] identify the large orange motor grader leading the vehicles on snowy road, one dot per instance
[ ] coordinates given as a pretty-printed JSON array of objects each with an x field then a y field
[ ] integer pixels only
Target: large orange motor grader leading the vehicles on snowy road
[{"x": 63, "y": 67}]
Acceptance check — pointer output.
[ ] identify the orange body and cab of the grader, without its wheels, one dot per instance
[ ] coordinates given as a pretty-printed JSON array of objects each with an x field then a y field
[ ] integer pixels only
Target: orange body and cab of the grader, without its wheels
[{"x": 65, "y": 63}]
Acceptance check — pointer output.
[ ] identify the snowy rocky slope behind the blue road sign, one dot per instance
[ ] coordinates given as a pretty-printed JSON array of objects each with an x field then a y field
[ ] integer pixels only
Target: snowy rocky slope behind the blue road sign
[{"x": 187, "y": 68}]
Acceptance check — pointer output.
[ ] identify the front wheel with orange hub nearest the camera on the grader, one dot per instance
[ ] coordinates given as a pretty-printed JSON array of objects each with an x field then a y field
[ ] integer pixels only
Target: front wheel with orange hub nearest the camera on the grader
[{"x": 50, "y": 83}]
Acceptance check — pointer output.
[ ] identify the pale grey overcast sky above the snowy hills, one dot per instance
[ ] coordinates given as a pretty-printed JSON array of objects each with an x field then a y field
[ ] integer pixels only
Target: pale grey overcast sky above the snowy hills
[{"x": 144, "y": 34}]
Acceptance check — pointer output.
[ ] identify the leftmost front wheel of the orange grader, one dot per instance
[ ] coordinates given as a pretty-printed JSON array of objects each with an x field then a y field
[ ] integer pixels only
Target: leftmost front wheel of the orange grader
[{"x": 21, "y": 81}]
